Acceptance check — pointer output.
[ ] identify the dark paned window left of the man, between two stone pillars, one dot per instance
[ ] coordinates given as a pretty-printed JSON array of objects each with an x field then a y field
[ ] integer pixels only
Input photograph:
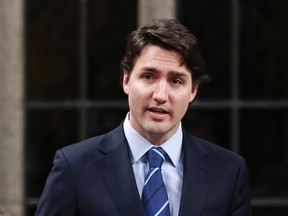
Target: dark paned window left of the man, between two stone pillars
[{"x": 73, "y": 53}]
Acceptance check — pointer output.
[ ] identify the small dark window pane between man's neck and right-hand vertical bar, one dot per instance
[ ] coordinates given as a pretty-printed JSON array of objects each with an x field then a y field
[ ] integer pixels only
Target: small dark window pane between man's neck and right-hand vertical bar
[{"x": 212, "y": 125}]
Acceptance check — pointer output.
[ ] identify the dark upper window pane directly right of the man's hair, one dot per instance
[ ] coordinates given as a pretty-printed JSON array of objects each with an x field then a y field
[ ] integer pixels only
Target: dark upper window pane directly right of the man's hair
[{"x": 210, "y": 21}]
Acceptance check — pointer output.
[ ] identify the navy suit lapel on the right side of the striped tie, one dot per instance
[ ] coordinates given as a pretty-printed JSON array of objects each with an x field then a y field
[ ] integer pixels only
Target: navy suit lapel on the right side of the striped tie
[{"x": 195, "y": 178}]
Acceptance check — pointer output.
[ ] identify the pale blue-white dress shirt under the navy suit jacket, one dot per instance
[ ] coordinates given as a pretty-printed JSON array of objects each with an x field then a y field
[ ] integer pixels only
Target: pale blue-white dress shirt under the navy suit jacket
[{"x": 172, "y": 171}]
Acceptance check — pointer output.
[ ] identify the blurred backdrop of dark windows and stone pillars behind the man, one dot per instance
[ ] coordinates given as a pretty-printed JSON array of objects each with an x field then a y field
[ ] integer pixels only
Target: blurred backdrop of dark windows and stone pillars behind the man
[{"x": 59, "y": 84}]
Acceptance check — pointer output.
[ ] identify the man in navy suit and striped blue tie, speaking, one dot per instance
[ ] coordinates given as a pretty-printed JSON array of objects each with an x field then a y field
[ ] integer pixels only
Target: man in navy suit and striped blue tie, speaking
[{"x": 106, "y": 175}]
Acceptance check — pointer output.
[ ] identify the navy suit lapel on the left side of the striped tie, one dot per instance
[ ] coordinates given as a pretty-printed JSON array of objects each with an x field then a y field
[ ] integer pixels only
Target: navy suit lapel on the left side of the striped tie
[{"x": 116, "y": 169}]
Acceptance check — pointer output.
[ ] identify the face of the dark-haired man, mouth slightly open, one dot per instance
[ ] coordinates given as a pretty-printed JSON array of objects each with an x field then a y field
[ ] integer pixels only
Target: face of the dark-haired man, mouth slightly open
[{"x": 159, "y": 91}]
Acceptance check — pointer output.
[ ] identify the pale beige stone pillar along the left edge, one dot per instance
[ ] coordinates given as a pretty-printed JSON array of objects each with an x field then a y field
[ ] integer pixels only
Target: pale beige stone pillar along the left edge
[{"x": 11, "y": 107}]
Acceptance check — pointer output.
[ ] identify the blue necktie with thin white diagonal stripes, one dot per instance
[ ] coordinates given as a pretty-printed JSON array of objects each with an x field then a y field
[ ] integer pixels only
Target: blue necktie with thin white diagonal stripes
[{"x": 154, "y": 198}]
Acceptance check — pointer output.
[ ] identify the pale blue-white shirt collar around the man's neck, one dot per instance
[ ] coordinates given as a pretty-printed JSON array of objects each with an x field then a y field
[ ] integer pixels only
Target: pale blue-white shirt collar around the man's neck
[{"x": 139, "y": 145}]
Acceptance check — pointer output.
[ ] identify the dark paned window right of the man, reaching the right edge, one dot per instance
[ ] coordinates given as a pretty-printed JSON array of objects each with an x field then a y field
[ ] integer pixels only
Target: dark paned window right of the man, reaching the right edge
[{"x": 244, "y": 108}]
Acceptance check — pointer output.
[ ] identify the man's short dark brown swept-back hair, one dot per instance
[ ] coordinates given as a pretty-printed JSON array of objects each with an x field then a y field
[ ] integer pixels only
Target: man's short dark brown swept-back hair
[{"x": 171, "y": 35}]
